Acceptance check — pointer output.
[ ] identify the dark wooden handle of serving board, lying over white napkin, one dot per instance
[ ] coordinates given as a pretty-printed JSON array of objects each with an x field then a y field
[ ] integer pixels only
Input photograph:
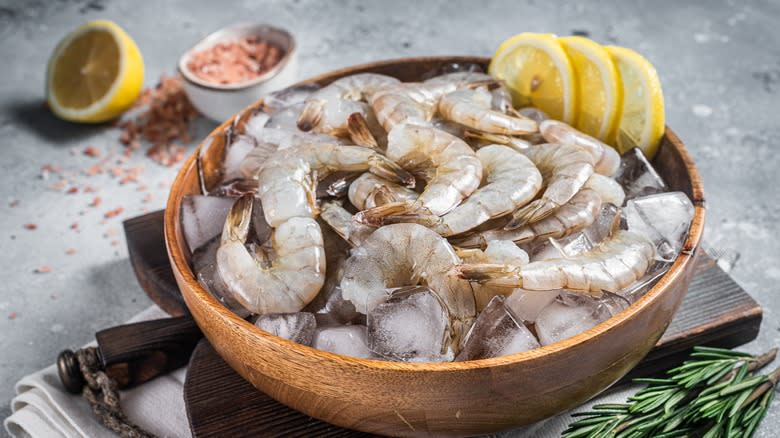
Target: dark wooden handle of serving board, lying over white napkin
[{"x": 135, "y": 353}]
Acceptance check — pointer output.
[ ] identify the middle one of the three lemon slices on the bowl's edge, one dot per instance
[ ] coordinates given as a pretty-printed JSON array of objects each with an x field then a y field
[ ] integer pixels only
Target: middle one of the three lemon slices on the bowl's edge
[{"x": 599, "y": 93}]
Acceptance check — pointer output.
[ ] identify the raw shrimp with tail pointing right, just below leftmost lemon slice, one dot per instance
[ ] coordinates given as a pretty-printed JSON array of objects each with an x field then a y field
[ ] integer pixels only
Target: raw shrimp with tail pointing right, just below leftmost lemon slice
[{"x": 472, "y": 108}]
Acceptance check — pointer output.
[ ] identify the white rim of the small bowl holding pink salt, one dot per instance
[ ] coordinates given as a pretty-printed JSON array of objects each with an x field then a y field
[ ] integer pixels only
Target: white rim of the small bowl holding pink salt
[{"x": 212, "y": 38}]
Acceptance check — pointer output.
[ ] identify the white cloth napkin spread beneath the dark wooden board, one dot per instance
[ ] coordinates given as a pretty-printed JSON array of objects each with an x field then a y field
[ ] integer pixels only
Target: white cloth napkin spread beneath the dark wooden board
[{"x": 42, "y": 408}]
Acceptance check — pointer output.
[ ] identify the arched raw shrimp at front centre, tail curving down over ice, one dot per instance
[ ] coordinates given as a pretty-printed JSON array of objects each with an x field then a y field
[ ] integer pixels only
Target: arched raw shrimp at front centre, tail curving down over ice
[{"x": 405, "y": 255}]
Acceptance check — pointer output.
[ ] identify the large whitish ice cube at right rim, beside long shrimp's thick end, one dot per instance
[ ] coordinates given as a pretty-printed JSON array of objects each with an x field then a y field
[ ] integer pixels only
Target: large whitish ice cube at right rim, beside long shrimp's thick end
[{"x": 663, "y": 218}]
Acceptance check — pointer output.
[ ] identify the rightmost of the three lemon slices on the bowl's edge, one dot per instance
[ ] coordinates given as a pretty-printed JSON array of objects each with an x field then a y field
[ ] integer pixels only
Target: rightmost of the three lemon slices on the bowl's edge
[{"x": 641, "y": 121}]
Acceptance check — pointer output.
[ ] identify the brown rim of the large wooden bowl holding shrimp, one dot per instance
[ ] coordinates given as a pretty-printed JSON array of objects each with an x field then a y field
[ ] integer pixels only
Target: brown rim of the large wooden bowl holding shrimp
[{"x": 176, "y": 254}]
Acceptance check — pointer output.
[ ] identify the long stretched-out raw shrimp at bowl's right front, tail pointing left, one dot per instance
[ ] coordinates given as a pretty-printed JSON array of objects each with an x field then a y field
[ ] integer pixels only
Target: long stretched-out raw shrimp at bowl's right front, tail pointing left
[{"x": 614, "y": 264}]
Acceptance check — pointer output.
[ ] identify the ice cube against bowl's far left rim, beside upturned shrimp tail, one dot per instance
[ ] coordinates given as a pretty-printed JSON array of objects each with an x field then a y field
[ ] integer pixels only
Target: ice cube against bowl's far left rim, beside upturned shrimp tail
[{"x": 202, "y": 218}]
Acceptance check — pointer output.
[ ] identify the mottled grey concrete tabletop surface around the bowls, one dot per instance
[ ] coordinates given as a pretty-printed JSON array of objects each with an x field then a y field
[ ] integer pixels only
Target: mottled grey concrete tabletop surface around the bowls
[{"x": 719, "y": 63}]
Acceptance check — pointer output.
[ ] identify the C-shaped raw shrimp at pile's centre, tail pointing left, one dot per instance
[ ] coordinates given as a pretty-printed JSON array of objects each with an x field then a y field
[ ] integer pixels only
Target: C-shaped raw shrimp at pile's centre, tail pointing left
[{"x": 453, "y": 170}]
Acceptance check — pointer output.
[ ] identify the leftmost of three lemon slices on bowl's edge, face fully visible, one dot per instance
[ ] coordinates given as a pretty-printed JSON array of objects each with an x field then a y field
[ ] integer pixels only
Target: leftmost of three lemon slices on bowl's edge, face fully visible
[{"x": 538, "y": 73}]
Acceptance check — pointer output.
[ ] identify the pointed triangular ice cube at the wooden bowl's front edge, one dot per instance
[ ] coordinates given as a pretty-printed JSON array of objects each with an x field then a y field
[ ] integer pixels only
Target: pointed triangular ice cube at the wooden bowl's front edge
[{"x": 496, "y": 332}]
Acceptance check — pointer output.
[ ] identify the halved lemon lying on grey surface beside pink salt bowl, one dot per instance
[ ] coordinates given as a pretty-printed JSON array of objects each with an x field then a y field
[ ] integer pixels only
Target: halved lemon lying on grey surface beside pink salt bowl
[{"x": 95, "y": 73}]
